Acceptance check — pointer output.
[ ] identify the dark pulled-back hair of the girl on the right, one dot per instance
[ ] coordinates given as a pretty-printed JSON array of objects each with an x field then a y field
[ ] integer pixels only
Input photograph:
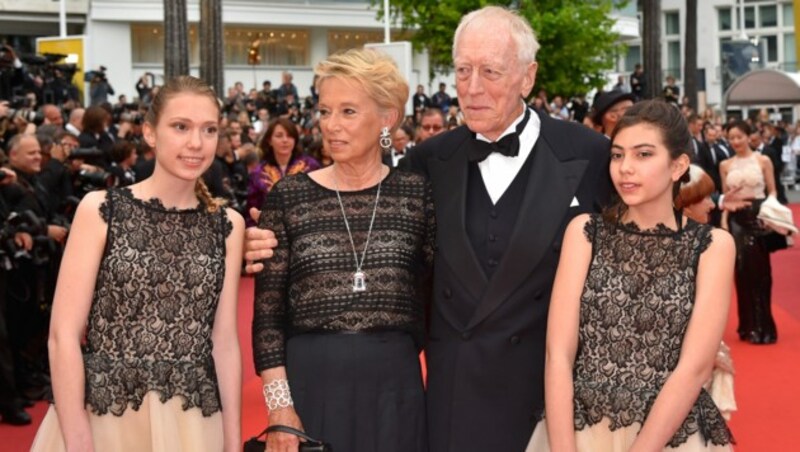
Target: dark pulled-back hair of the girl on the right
[{"x": 674, "y": 134}]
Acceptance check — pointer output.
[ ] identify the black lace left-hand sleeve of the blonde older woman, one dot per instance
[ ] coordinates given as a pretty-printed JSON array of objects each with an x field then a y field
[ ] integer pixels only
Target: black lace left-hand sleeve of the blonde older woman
[{"x": 270, "y": 316}]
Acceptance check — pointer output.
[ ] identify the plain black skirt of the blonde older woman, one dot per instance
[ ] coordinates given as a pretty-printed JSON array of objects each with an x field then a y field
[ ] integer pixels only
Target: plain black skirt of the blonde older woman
[{"x": 359, "y": 392}]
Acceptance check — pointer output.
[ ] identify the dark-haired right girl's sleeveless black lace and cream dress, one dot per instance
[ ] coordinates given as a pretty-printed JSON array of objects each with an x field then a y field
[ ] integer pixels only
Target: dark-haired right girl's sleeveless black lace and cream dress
[{"x": 636, "y": 304}]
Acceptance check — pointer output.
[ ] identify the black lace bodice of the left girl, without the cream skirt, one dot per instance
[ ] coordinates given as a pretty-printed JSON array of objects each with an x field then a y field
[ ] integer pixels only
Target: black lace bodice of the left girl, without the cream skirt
[{"x": 154, "y": 304}]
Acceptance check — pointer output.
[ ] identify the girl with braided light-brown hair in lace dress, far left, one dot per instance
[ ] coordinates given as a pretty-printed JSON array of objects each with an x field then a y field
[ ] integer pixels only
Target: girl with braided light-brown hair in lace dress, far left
[{"x": 150, "y": 274}]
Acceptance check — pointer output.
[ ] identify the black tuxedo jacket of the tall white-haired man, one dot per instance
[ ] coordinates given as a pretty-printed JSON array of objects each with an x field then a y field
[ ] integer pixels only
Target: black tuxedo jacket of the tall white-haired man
[{"x": 487, "y": 336}]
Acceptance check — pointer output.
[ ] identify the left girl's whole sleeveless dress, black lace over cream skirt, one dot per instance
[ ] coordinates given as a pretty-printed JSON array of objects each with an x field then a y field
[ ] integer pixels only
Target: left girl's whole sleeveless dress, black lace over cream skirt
[{"x": 151, "y": 384}]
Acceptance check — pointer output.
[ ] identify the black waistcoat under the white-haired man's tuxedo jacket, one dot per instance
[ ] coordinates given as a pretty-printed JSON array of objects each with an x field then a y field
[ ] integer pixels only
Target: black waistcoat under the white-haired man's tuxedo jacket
[{"x": 489, "y": 226}]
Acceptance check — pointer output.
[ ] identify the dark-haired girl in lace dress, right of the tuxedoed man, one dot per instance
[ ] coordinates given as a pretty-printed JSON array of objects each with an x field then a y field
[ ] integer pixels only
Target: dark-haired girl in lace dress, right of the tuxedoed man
[{"x": 638, "y": 309}]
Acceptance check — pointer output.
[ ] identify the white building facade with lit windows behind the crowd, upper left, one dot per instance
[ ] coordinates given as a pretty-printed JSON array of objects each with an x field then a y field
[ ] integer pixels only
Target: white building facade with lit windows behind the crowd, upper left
[{"x": 127, "y": 36}]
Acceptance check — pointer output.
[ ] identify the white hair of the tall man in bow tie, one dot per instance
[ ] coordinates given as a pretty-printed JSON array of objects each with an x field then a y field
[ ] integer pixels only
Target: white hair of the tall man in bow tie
[{"x": 521, "y": 31}]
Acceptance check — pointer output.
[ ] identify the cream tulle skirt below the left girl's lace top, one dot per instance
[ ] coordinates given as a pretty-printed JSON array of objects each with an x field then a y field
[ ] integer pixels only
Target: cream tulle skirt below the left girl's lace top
[{"x": 155, "y": 427}]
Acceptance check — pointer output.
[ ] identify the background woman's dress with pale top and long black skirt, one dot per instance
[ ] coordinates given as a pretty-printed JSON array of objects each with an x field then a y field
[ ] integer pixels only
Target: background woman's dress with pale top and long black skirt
[{"x": 753, "y": 271}]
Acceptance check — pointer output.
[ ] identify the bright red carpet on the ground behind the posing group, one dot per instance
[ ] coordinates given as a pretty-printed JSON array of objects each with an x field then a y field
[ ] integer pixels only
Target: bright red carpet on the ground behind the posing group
[{"x": 766, "y": 376}]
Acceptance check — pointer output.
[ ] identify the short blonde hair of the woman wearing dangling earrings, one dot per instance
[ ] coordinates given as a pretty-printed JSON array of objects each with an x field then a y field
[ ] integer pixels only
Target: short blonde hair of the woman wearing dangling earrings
[{"x": 372, "y": 70}]
